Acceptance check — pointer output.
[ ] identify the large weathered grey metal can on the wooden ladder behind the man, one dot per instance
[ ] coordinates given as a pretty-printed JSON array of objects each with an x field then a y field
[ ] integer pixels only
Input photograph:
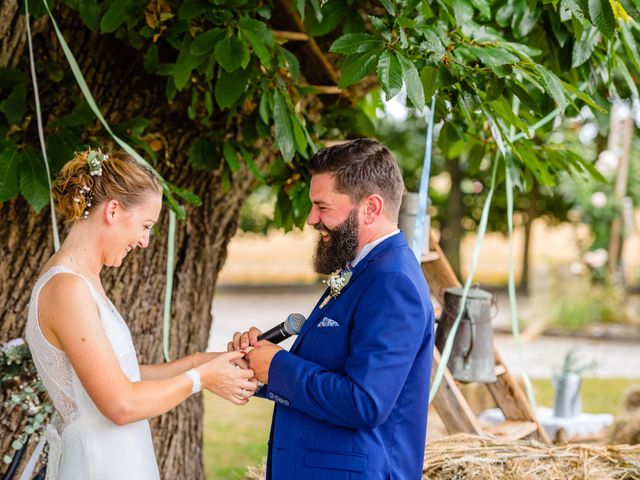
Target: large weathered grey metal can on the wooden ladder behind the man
[{"x": 472, "y": 357}]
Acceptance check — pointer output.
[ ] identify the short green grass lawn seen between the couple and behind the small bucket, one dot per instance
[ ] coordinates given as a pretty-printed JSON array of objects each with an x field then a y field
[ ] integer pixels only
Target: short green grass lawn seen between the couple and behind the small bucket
[{"x": 236, "y": 437}]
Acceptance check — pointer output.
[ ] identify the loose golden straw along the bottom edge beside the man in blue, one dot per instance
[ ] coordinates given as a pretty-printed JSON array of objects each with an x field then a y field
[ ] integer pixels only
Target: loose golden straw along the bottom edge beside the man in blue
[{"x": 470, "y": 457}]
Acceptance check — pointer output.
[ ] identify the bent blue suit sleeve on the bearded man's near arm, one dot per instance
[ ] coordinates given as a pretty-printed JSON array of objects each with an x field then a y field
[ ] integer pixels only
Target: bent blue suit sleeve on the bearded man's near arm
[{"x": 389, "y": 329}]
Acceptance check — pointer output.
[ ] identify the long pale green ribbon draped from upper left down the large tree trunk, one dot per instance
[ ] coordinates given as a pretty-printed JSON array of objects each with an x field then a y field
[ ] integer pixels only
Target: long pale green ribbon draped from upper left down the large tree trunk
[{"x": 125, "y": 146}]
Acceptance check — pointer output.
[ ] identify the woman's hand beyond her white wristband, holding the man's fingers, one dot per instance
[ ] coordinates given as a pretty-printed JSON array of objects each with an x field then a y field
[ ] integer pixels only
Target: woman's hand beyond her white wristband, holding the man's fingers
[{"x": 222, "y": 377}]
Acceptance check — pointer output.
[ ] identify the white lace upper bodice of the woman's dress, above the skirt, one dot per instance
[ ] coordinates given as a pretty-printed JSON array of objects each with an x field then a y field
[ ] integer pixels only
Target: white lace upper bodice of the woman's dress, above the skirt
[{"x": 58, "y": 376}]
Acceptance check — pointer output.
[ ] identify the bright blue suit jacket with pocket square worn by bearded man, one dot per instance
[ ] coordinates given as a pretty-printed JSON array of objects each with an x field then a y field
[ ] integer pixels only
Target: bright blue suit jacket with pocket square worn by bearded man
[{"x": 352, "y": 396}]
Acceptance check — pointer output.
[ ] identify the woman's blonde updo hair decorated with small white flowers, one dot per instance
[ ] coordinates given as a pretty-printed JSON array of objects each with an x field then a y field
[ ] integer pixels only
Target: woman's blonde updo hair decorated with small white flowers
[{"x": 124, "y": 179}]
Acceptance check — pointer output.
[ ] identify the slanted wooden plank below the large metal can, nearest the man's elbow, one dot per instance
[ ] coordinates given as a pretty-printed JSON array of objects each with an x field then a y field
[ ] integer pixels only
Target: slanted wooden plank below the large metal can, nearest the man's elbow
[{"x": 455, "y": 412}]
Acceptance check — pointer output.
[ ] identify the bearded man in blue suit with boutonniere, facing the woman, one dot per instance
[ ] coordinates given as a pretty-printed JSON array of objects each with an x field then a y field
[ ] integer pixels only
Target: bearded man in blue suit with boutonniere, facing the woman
[{"x": 352, "y": 394}]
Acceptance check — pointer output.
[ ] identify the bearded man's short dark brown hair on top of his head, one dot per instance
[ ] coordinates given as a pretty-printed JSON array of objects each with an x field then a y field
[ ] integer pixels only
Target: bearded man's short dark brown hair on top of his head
[{"x": 362, "y": 167}]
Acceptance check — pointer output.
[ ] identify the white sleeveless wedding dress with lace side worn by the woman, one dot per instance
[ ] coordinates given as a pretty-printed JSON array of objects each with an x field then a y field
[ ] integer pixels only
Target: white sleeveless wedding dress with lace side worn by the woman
[{"x": 92, "y": 447}]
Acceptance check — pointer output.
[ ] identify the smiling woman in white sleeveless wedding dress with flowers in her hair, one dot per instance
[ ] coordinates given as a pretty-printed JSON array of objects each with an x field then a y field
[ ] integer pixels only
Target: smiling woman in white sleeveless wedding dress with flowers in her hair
[{"x": 80, "y": 343}]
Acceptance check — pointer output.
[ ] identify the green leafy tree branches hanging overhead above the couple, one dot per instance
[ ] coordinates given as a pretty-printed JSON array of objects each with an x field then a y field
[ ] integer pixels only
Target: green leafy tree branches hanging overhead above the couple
[{"x": 480, "y": 57}]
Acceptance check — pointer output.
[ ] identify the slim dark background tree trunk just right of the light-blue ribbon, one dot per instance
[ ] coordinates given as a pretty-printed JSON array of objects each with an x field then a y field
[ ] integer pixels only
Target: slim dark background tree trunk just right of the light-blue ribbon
[{"x": 452, "y": 231}]
